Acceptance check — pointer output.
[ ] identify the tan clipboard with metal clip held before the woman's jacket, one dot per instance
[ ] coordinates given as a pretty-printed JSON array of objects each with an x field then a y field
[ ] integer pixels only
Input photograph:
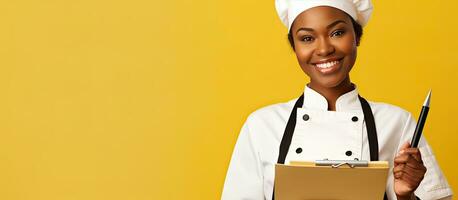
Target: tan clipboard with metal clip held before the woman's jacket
[{"x": 331, "y": 180}]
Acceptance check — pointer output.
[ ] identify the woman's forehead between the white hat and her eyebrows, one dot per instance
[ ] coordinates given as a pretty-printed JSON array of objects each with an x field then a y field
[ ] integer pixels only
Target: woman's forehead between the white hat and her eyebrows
[{"x": 320, "y": 16}]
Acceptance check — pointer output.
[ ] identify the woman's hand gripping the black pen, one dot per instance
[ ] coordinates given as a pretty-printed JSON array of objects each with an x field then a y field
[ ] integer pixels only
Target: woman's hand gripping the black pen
[{"x": 408, "y": 172}]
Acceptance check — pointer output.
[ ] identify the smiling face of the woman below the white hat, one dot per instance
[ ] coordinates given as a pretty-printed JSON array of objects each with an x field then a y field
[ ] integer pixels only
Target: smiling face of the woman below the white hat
[{"x": 325, "y": 46}]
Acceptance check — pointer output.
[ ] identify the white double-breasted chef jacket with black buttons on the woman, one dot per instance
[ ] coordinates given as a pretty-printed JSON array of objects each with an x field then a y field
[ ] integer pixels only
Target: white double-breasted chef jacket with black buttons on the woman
[{"x": 326, "y": 134}]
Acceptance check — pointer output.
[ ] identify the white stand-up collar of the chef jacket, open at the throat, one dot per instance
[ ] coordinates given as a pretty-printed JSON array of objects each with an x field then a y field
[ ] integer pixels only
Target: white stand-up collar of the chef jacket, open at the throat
[{"x": 346, "y": 102}]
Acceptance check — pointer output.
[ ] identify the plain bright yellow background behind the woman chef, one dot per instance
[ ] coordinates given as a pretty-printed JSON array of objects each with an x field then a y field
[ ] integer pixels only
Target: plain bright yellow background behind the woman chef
[{"x": 144, "y": 99}]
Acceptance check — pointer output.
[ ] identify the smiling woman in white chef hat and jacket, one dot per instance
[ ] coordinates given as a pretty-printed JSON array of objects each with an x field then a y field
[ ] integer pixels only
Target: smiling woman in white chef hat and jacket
[{"x": 330, "y": 120}]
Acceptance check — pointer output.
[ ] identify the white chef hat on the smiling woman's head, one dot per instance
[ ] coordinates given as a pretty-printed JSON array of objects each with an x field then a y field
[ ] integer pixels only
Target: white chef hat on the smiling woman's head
[{"x": 288, "y": 10}]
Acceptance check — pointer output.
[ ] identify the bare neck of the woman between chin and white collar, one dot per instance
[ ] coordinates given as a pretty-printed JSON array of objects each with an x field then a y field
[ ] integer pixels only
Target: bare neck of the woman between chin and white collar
[{"x": 333, "y": 93}]
